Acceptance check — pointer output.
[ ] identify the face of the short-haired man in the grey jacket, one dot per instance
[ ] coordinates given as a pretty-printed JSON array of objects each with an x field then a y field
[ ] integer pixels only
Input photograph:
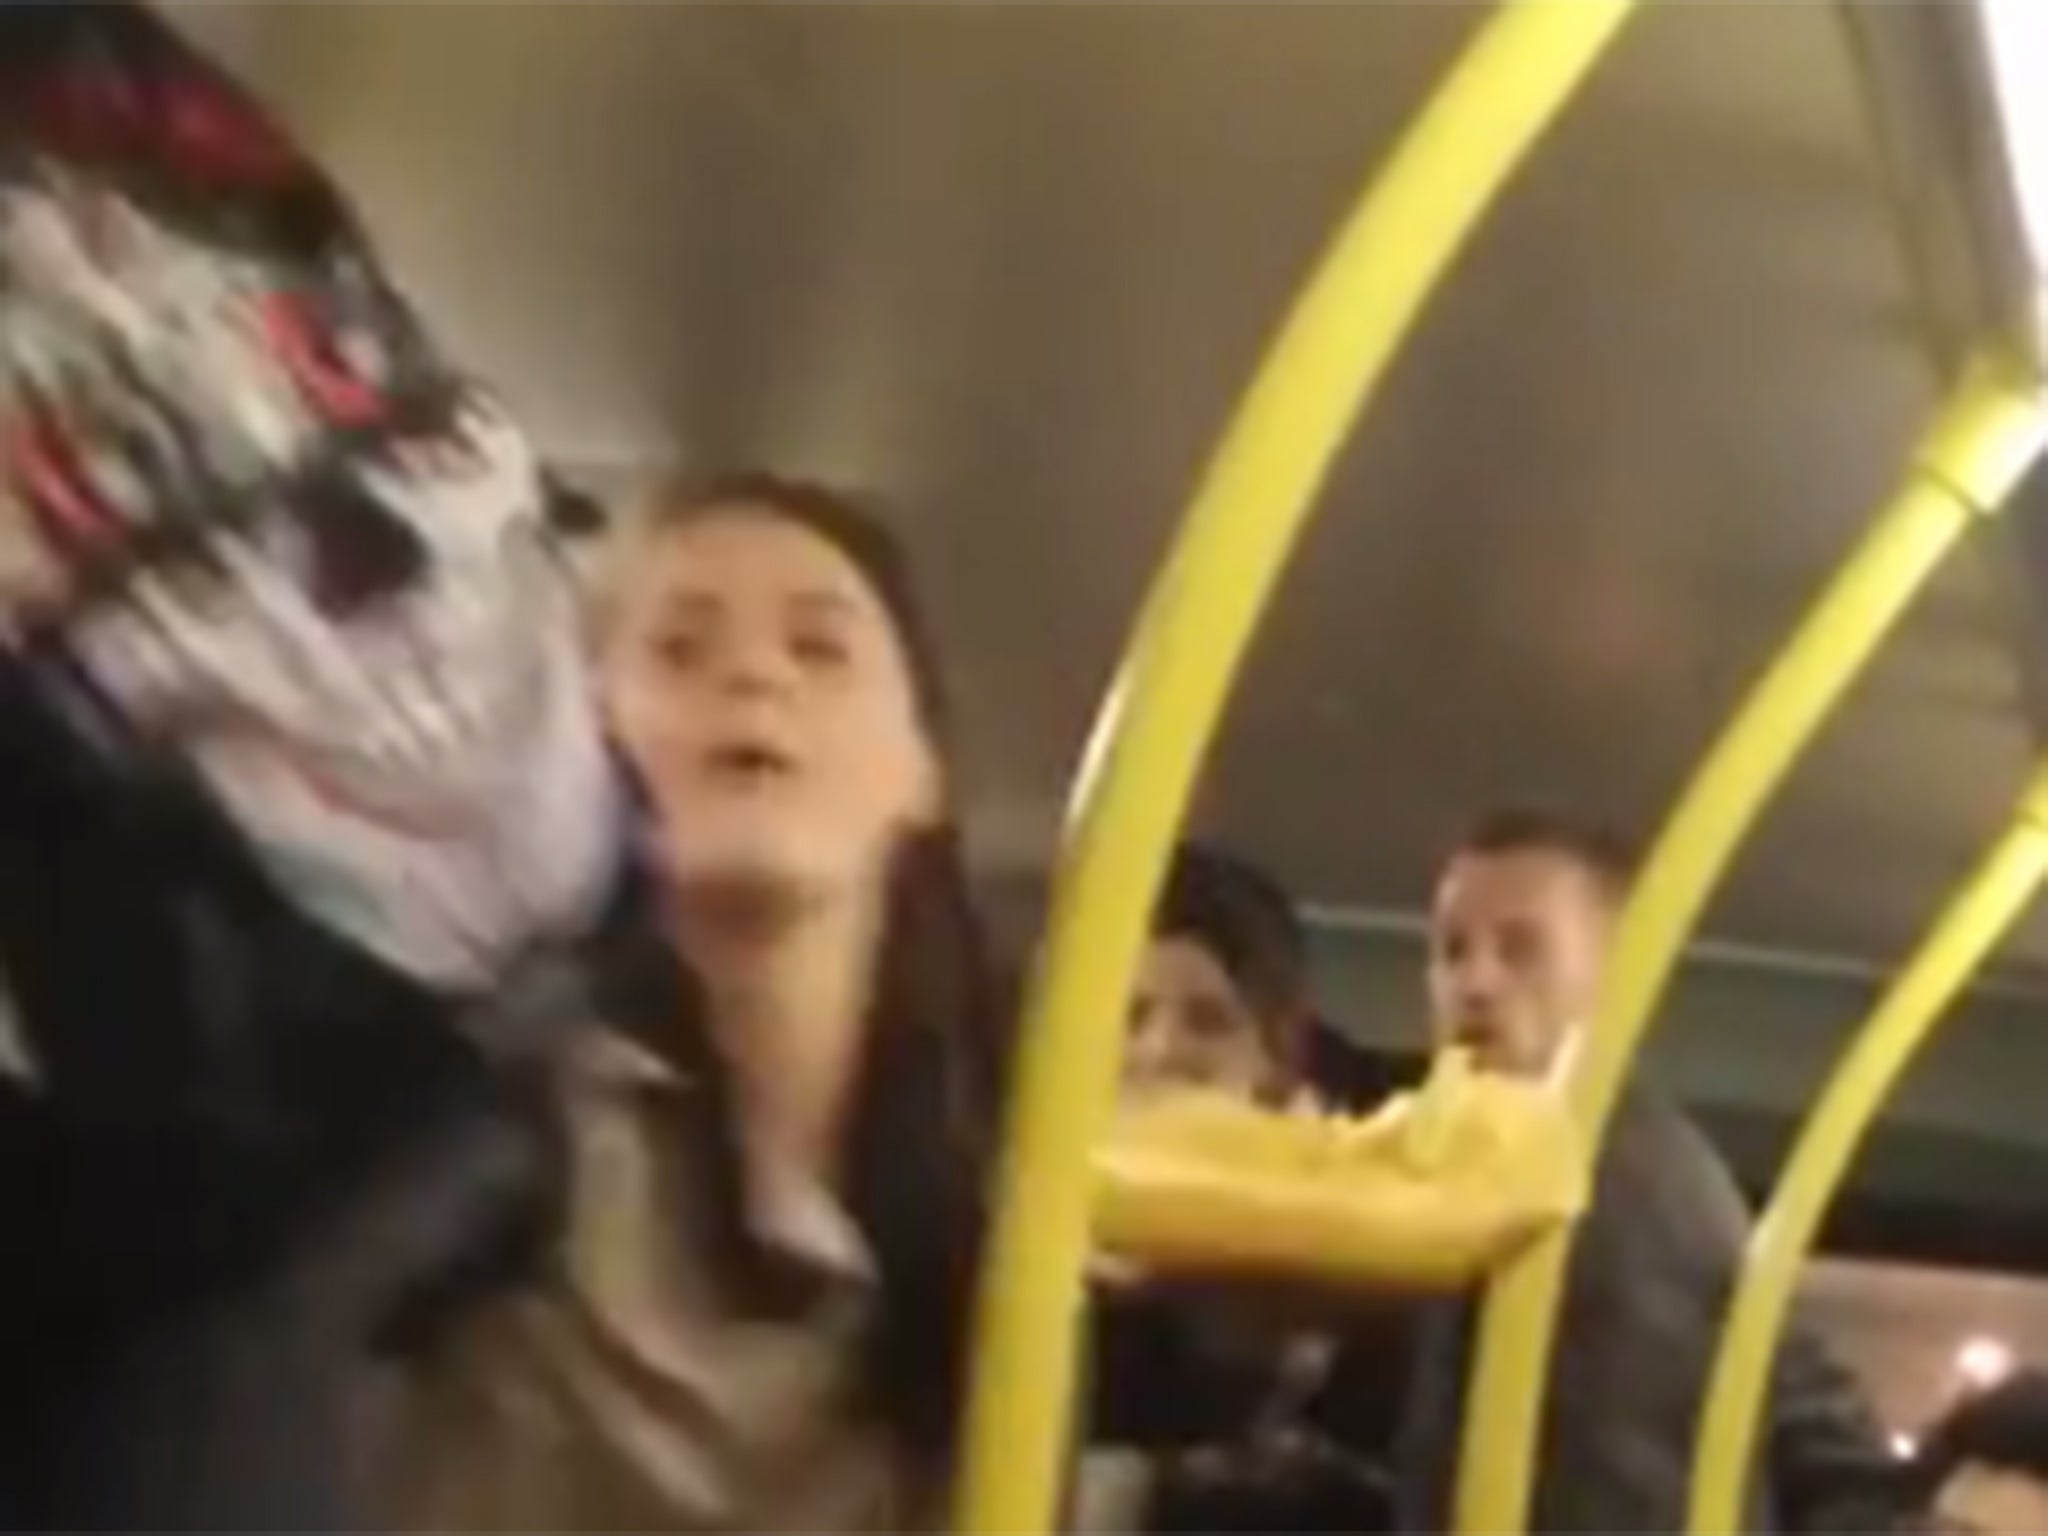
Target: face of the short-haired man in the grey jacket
[{"x": 1517, "y": 949}]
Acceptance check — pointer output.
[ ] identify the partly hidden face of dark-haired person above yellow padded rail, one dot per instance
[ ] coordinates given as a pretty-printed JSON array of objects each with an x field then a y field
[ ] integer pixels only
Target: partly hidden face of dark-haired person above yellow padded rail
[{"x": 1191, "y": 1027}]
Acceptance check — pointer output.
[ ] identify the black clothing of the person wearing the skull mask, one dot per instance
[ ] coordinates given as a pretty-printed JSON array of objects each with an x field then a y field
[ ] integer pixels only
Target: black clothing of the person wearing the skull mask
[{"x": 239, "y": 1121}]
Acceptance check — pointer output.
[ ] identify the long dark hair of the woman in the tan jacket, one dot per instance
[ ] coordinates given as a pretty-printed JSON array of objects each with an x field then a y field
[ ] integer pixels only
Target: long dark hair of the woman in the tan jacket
[{"x": 919, "y": 1138}]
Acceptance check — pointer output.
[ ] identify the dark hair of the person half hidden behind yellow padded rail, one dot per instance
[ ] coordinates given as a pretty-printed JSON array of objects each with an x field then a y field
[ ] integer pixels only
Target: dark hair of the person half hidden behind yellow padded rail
[{"x": 1246, "y": 923}]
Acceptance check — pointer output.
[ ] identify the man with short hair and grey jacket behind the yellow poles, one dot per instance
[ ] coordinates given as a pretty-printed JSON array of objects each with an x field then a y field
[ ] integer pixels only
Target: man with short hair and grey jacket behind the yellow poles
[{"x": 1521, "y": 933}]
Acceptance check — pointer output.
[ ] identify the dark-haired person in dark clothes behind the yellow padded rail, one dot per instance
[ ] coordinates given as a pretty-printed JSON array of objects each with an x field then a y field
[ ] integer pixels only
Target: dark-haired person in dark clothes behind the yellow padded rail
[{"x": 1234, "y": 1412}]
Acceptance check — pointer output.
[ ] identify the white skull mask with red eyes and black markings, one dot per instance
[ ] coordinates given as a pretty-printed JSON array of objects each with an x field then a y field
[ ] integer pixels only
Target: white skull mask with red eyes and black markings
[{"x": 249, "y": 505}]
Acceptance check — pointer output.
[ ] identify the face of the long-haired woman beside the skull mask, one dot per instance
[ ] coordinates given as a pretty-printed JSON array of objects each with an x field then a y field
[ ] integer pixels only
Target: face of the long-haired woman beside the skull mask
[{"x": 763, "y": 695}]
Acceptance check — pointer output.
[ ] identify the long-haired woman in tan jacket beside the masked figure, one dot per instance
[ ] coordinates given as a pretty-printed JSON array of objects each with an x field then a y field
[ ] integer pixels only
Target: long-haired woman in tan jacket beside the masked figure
[{"x": 749, "y": 1318}]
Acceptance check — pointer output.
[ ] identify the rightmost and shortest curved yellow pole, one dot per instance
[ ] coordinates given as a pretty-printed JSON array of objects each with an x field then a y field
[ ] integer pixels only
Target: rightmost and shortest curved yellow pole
[{"x": 1988, "y": 904}]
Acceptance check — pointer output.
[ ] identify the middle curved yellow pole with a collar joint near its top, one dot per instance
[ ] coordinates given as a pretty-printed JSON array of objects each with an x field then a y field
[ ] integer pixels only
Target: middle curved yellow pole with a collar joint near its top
[{"x": 1967, "y": 464}]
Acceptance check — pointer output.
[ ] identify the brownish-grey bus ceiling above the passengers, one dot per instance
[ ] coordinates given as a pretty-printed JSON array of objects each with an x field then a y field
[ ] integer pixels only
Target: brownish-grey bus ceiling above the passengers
[{"x": 1009, "y": 267}]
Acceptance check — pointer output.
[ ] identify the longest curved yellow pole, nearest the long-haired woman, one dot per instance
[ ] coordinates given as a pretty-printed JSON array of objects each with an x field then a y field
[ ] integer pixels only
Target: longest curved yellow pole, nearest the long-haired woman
[{"x": 1162, "y": 712}]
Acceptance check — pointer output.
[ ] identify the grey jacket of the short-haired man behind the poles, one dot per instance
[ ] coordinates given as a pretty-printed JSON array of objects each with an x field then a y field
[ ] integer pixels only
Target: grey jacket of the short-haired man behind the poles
[{"x": 1644, "y": 1314}]
